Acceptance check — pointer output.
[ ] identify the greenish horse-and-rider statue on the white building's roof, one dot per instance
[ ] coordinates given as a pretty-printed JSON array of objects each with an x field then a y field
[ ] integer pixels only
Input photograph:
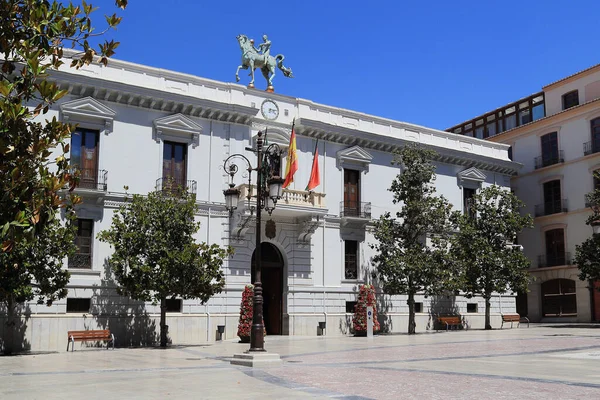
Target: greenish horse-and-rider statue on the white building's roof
[{"x": 260, "y": 57}]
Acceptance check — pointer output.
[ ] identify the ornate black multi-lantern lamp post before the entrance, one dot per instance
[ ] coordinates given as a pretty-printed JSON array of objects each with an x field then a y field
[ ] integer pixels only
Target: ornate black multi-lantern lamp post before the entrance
[{"x": 269, "y": 188}]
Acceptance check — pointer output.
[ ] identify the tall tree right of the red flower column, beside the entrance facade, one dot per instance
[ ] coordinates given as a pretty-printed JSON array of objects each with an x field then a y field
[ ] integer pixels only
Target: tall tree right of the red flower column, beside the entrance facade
[{"x": 411, "y": 246}]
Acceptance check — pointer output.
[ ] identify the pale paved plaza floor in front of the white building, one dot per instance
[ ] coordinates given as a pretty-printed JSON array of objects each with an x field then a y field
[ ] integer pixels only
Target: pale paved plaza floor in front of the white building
[{"x": 524, "y": 363}]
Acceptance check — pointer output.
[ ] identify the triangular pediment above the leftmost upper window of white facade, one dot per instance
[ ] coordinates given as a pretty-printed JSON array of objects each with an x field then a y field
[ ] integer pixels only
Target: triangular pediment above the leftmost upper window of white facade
[{"x": 88, "y": 109}]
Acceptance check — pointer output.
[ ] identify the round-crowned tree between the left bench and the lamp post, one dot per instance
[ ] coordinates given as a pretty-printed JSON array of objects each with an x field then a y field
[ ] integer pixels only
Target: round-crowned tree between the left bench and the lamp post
[{"x": 155, "y": 255}]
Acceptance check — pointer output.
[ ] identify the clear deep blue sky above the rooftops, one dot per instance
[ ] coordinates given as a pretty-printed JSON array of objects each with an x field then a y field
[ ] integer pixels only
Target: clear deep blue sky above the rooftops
[{"x": 433, "y": 63}]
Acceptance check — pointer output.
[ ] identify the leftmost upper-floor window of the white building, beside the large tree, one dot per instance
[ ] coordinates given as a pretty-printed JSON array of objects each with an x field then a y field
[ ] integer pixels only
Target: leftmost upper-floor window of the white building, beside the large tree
[{"x": 84, "y": 156}]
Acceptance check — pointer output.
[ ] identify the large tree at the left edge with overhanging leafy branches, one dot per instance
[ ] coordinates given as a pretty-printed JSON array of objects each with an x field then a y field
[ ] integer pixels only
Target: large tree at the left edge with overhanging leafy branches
[{"x": 34, "y": 167}]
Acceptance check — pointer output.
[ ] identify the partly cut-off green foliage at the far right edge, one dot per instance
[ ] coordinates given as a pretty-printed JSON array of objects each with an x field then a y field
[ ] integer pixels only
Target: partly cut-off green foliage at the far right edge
[{"x": 587, "y": 254}]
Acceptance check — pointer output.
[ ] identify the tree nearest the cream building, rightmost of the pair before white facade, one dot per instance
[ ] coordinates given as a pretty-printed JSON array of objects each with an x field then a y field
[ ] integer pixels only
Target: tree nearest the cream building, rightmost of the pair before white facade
[{"x": 483, "y": 247}]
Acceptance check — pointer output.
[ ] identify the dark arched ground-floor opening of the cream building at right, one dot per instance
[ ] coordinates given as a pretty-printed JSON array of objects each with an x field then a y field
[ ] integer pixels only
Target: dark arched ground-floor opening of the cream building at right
[{"x": 559, "y": 298}]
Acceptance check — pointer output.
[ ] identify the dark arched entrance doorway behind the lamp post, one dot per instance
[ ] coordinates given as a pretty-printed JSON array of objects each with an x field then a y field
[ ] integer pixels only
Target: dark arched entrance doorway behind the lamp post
[{"x": 272, "y": 284}]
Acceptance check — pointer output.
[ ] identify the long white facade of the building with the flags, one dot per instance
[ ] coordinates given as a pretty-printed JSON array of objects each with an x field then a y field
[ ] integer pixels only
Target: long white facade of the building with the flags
[{"x": 139, "y": 126}]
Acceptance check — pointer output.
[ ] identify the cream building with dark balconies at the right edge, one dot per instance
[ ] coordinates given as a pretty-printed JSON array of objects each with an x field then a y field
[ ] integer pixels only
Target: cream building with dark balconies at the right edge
[{"x": 555, "y": 135}]
